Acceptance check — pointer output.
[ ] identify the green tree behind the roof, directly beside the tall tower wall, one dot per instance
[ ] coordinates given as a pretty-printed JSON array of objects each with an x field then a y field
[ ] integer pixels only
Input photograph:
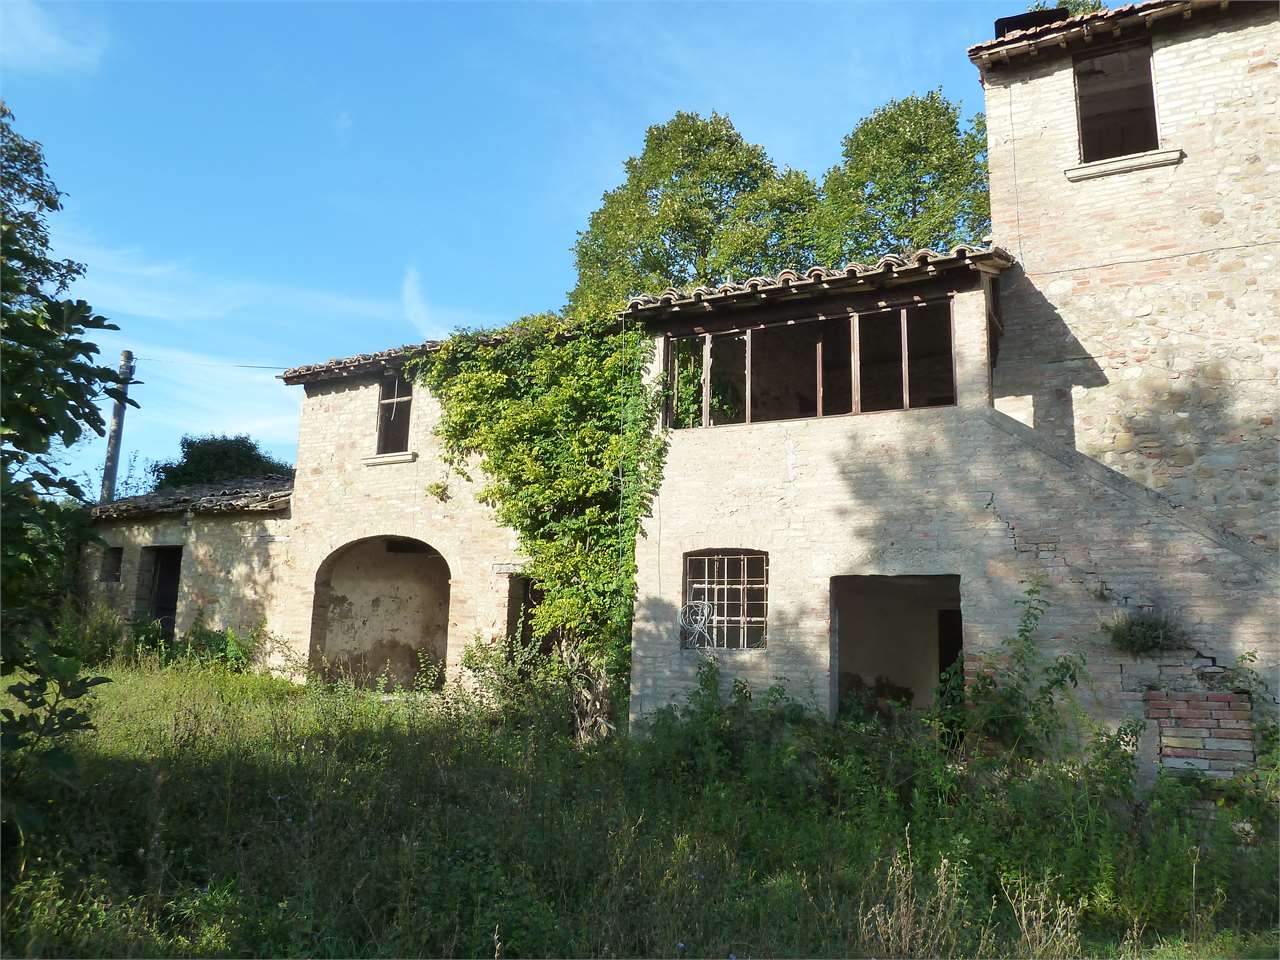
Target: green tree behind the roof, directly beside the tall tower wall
[{"x": 912, "y": 177}]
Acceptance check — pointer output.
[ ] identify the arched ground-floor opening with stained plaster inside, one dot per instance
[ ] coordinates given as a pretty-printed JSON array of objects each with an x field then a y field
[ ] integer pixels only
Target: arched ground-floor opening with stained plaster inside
[{"x": 382, "y": 609}]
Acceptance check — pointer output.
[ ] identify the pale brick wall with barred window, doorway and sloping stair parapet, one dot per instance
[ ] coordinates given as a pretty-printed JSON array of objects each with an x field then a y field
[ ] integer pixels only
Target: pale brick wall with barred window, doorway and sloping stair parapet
[{"x": 952, "y": 491}]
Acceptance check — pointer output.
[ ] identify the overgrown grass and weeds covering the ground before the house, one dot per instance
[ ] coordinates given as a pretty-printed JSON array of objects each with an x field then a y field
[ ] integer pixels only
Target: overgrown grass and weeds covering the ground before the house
[{"x": 226, "y": 815}]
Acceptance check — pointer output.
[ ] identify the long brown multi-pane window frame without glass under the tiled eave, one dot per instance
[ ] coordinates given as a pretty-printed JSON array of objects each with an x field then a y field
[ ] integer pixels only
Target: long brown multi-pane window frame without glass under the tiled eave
[{"x": 670, "y": 358}]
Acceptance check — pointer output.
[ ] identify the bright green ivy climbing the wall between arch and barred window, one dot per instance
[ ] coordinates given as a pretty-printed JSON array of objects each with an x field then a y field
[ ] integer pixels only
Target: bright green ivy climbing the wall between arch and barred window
[{"x": 555, "y": 420}]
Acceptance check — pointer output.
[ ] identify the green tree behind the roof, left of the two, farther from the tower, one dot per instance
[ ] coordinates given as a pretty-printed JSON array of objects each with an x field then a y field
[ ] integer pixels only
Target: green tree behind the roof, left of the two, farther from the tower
[{"x": 700, "y": 205}]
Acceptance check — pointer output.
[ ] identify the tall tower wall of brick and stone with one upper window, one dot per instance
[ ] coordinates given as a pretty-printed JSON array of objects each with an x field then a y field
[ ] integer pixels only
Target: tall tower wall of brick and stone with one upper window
[{"x": 1141, "y": 323}]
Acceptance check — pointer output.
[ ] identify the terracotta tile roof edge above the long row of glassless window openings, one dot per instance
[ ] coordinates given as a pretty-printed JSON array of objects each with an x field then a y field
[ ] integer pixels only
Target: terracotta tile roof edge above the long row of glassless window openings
[{"x": 894, "y": 268}]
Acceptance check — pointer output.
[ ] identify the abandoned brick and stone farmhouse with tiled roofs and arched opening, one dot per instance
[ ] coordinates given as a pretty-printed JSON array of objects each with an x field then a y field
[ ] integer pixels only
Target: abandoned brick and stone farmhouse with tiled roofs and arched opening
[{"x": 868, "y": 465}]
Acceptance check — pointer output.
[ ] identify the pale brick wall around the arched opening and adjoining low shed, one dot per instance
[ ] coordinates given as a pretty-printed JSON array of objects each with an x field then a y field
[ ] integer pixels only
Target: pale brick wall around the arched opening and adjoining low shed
[{"x": 243, "y": 570}]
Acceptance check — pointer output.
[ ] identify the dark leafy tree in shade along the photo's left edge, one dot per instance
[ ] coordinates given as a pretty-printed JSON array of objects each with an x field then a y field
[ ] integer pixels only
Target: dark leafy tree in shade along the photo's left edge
[{"x": 52, "y": 386}]
